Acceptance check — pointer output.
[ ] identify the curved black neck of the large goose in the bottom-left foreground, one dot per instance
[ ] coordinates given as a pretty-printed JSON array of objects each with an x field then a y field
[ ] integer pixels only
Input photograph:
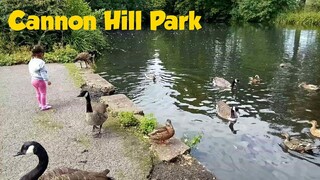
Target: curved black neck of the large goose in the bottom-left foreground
[{"x": 40, "y": 168}]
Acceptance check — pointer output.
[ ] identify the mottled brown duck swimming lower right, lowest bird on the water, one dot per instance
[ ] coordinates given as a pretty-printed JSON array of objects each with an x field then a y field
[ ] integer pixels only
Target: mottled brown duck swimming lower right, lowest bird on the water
[{"x": 296, "y": 144}]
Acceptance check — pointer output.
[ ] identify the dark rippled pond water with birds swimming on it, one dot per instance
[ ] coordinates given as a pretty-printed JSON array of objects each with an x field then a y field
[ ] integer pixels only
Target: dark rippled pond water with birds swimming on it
[{"x": 183, "y": 92}]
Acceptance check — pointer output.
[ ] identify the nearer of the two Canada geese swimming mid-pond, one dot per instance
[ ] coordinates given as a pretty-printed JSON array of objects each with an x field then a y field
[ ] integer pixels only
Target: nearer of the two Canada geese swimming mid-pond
[{"x": 224, "y": 111}]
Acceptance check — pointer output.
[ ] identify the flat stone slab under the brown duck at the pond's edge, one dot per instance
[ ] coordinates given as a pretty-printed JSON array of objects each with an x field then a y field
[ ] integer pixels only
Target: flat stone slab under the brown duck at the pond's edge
[{"x": 167, "y": 152}]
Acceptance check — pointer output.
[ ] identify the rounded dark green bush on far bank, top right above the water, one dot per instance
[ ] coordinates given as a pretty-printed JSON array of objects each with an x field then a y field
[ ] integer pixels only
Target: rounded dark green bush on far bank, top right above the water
[{"x": 261, "y": 10}]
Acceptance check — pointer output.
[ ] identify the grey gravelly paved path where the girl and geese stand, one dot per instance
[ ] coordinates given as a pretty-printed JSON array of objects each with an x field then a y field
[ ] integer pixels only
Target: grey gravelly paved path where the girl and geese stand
[{"x": 62, "y": 131}]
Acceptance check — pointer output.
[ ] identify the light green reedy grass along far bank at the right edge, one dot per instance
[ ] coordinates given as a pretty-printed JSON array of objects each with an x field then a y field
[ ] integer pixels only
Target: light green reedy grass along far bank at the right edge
[{"x": 305, "y": 19}]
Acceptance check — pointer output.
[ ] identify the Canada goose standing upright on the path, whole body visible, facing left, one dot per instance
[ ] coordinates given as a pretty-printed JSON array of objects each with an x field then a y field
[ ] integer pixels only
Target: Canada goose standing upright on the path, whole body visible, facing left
[{"x": 96, "y": 113}]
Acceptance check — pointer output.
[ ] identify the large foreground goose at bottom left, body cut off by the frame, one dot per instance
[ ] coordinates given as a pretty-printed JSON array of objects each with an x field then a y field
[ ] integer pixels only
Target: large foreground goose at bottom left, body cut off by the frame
[{"x": 33, "y": 147}]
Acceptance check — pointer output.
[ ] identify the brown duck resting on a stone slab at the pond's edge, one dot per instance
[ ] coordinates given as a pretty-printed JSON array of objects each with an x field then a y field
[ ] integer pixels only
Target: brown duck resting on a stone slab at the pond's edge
[{"x": 162, "y": 134}]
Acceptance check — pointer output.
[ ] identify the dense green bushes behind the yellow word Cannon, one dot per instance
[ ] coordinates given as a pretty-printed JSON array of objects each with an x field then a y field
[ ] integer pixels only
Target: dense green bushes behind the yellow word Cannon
[{"x": 82, "y": 40}]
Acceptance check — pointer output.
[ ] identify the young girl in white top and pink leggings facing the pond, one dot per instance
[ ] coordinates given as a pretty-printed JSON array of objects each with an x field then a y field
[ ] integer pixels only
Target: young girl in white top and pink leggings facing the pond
[{"x": 39, "y": 76}]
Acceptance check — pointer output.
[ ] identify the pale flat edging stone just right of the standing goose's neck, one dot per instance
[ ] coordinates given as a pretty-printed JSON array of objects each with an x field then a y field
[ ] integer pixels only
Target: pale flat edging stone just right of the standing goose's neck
[{"x": 121, "y": 103}]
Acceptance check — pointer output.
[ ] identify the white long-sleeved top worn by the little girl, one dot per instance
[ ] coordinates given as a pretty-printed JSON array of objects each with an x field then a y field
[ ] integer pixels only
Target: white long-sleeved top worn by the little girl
[{"x": 38, "y": 69}]
